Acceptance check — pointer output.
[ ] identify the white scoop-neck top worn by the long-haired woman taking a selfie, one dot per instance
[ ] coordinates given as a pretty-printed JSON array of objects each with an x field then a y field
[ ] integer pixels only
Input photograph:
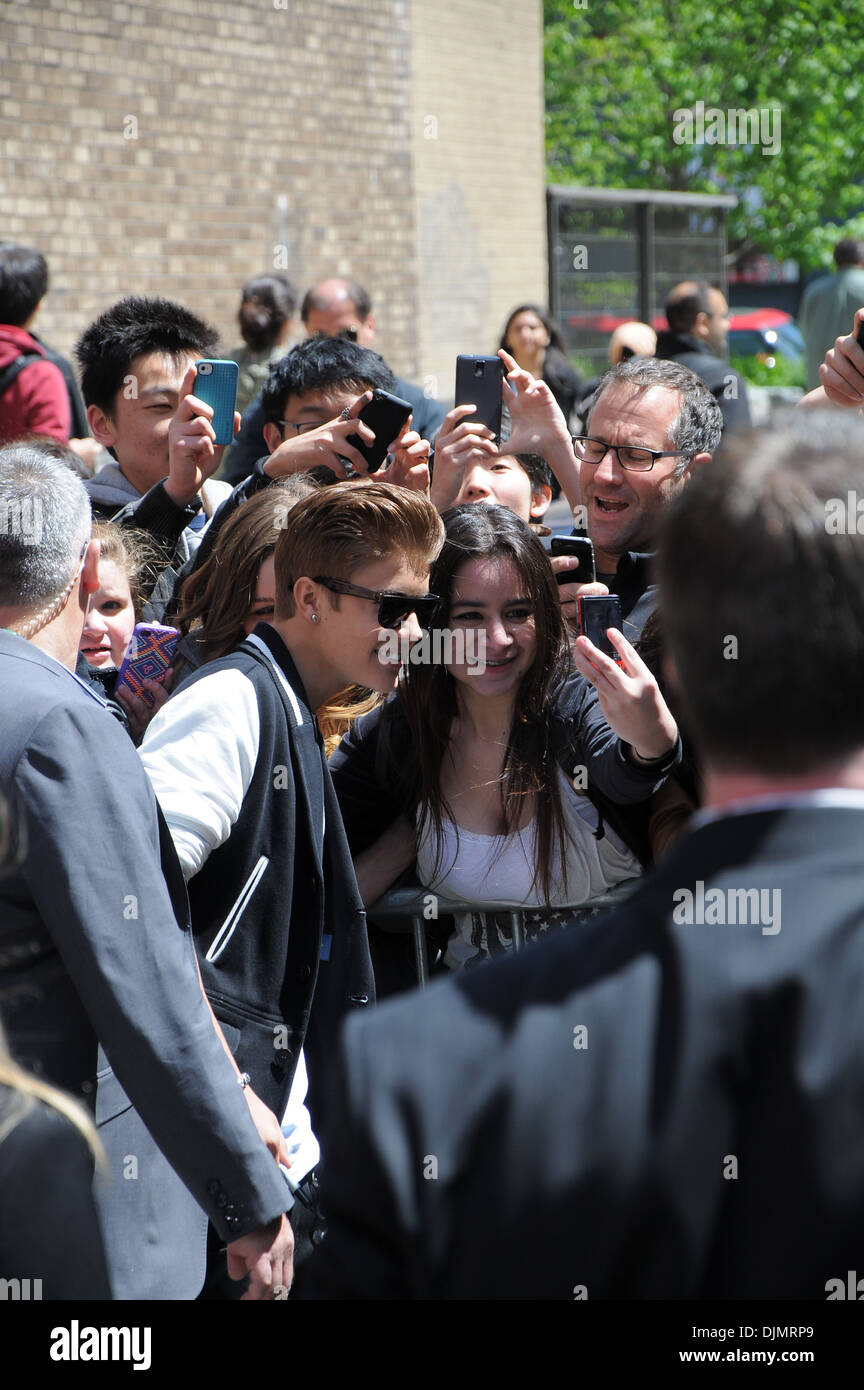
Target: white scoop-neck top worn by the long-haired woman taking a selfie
[{"x": 483, "y": 869}]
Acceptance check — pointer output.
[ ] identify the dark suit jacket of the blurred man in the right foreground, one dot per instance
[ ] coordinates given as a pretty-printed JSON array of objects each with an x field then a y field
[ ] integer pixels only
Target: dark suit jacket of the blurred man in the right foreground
[{"x": 642, "y": 1109}]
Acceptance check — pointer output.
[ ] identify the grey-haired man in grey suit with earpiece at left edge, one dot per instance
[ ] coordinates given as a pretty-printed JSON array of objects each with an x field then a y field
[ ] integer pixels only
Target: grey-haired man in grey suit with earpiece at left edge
[{"x": 94, "y": 939}]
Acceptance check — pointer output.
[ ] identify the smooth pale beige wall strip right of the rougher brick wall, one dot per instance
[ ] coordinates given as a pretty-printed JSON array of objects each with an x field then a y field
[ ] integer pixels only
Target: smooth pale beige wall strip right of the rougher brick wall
[{"x": 480, "y": 173}]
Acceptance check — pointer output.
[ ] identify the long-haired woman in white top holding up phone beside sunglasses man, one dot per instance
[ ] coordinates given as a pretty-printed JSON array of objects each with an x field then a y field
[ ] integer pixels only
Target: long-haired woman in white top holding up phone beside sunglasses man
[{"x": 506, "y": 775}]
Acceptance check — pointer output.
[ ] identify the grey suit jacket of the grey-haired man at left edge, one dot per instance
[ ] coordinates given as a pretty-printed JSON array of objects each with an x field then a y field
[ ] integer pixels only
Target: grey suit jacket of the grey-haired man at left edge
[{"x": 91, "y": 949}]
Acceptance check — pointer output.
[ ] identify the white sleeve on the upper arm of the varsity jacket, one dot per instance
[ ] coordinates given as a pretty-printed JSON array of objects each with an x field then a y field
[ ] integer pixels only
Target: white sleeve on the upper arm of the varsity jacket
[{"x": 201, "y": 754}]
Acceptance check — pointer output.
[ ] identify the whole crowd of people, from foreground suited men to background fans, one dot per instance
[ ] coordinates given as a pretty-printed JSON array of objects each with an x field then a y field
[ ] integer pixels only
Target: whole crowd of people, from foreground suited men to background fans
[{"x": 190, "y": 942}]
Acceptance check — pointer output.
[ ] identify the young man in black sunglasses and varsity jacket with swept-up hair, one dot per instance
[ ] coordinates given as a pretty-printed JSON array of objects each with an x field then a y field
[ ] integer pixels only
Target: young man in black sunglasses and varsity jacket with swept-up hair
[{"x": 238, "y": 767}]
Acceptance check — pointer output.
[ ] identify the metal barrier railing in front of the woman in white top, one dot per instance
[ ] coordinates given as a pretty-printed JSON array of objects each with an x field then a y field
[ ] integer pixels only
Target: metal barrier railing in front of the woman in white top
[{"x": 413, "y": 903}]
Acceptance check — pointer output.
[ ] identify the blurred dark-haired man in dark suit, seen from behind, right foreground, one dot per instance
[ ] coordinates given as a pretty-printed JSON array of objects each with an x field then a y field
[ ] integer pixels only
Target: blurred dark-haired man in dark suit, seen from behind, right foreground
[{"x": 665, "y": 1103}]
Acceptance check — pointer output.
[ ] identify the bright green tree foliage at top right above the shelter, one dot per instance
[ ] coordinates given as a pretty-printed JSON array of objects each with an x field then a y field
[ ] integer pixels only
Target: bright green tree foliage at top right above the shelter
[{"x": 617, "y": 72}]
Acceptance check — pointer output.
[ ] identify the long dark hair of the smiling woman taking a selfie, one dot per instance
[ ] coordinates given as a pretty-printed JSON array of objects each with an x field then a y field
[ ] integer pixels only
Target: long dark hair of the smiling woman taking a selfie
[{"x": 429, "y": 694}]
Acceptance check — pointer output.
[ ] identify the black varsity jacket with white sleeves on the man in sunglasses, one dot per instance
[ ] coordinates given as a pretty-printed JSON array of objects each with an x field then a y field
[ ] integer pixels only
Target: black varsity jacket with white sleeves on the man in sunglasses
[{"x": 238, "y": 767}]
